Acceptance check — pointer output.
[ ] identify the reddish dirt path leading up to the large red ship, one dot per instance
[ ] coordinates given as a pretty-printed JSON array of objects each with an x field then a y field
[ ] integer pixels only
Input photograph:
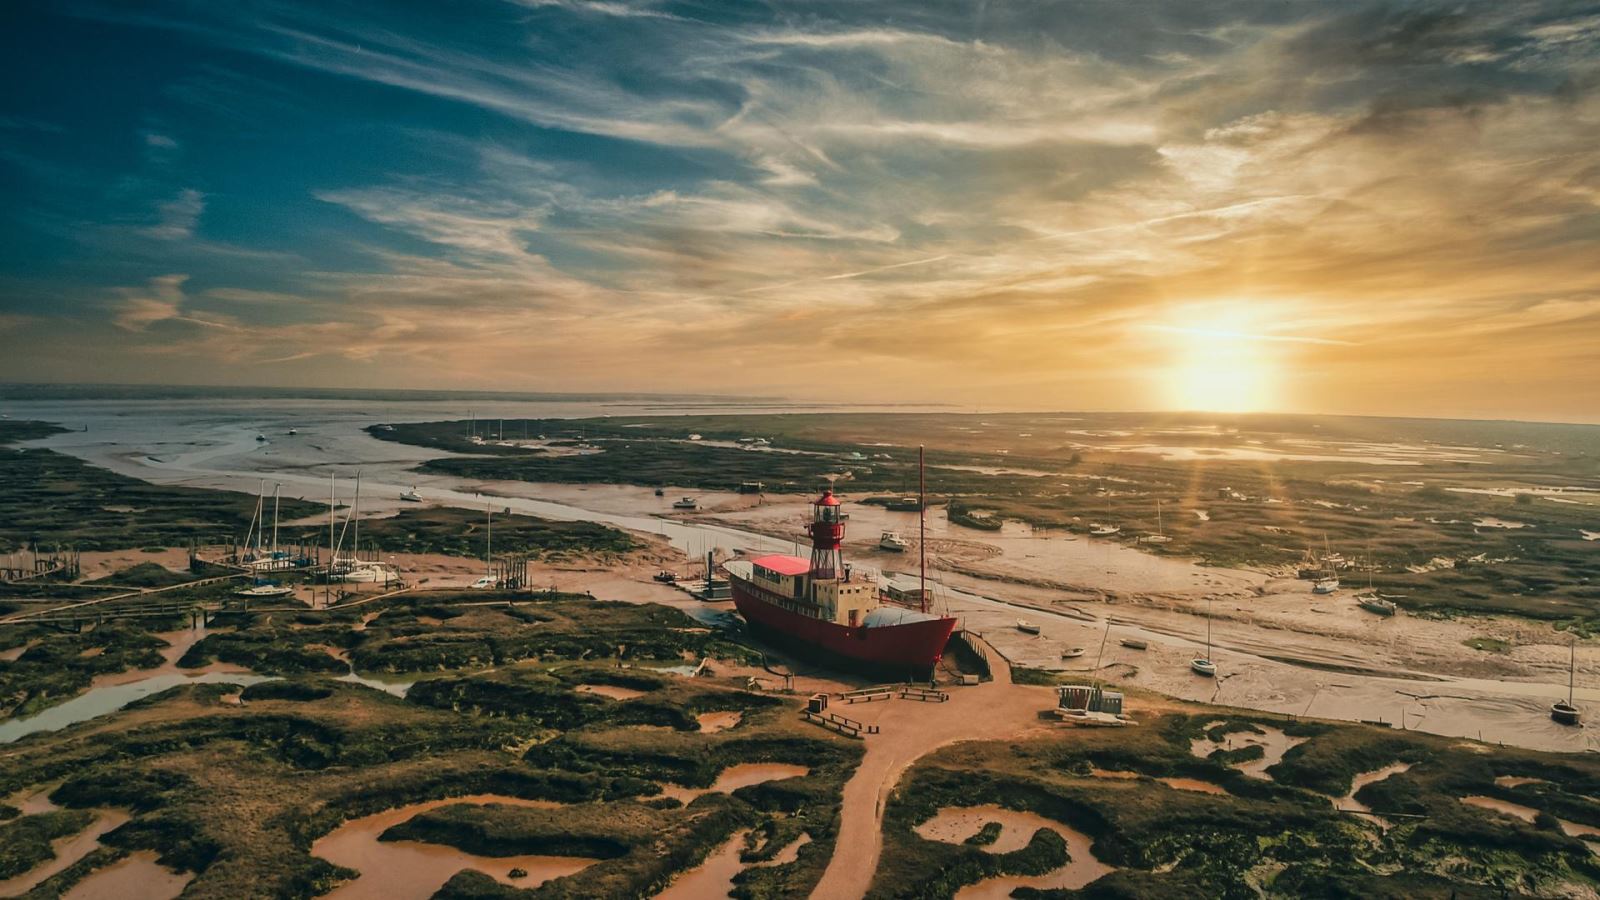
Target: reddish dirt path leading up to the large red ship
[{"x": 996, "y": 710}]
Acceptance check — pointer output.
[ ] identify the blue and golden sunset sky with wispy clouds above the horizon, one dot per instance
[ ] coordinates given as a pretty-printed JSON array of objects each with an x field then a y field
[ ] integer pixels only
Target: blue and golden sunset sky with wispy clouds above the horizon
[{"x": 1382, "y": 209}]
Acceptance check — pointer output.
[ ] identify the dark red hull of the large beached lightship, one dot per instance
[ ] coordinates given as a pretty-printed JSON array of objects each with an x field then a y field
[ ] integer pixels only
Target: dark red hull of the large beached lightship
[{"x": 895, "y": 649}]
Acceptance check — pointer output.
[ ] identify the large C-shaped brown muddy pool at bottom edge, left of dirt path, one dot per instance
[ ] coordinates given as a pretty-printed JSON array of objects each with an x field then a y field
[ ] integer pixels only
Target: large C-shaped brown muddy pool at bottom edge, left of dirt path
[{"x": 404, "y": 870}]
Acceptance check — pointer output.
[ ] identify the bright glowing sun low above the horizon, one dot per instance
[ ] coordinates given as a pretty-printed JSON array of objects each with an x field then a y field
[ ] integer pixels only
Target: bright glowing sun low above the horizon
[{"x": 1217, "y": 363}]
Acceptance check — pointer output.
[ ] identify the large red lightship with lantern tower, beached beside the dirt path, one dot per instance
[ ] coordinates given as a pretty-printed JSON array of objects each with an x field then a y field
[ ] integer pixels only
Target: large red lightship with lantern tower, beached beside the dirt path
[{"x": 820, "y": 609}]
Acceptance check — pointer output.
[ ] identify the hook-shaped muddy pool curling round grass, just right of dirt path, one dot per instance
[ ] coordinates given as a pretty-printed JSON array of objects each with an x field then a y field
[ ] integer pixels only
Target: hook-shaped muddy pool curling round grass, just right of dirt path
[{"x": 954, "y": 826}]
